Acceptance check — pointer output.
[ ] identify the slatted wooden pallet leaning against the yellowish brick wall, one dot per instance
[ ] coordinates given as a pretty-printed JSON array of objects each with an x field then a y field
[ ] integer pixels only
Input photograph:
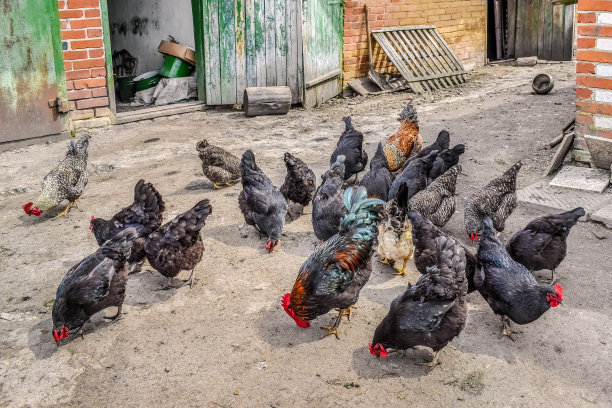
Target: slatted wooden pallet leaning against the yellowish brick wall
[{"x": 421, "y": 56}]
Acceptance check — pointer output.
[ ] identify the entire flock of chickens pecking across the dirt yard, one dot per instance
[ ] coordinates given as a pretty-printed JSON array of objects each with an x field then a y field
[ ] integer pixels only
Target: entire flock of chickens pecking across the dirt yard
[{"x": 397, "y": 209}]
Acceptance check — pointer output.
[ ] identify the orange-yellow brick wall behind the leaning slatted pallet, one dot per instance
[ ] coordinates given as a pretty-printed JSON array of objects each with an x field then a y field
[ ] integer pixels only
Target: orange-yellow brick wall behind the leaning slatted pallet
[{"x": 462, "y": 24}]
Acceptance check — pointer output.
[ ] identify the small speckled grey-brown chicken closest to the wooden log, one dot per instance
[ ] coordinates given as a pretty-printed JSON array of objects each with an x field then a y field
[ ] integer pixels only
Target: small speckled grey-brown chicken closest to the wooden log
[{"x": 218, "y": 165}]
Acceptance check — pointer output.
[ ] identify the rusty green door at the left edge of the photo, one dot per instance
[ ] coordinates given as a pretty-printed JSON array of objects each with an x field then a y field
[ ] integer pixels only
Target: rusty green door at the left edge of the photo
[{"x": 31, "y": 69}]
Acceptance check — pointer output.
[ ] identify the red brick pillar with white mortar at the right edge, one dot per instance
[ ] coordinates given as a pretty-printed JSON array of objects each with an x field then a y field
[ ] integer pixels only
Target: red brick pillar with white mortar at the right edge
[{"x": 594, "y": 74}]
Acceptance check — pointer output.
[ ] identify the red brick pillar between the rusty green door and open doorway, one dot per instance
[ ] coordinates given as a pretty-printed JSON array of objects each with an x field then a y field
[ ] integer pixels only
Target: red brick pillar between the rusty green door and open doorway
[{"x": 84, "y": 62}]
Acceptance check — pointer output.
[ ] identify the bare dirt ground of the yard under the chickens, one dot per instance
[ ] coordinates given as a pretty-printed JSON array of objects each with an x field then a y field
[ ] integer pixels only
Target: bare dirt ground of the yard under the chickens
[{"x": 227, "y": 342}]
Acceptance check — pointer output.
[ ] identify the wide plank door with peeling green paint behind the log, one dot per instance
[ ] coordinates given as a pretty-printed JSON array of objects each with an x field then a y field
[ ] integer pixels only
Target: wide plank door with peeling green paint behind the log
[{"x": 247, "y": 43}]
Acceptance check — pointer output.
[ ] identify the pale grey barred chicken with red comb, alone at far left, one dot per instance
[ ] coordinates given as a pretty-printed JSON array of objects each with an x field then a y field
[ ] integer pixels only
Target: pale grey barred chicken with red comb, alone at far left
[{"x": 65, "y": 182}]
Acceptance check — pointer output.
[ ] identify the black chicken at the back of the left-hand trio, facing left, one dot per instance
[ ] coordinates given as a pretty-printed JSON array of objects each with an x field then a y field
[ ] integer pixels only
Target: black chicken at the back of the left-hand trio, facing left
[{"x": 144, "y": 214}]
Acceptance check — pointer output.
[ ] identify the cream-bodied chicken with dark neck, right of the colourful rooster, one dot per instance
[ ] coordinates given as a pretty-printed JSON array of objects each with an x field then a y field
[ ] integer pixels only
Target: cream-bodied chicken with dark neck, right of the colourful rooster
[{"x": 395, "y": 237}]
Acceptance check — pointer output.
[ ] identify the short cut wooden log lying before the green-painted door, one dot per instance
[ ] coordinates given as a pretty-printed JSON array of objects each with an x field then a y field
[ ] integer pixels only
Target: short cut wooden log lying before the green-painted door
[{"x": 271, "y": 100}]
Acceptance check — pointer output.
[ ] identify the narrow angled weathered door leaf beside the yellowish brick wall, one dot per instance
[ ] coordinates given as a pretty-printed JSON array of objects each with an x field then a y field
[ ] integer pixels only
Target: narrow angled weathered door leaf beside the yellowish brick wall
[{"x": 323, "y": 36}]
